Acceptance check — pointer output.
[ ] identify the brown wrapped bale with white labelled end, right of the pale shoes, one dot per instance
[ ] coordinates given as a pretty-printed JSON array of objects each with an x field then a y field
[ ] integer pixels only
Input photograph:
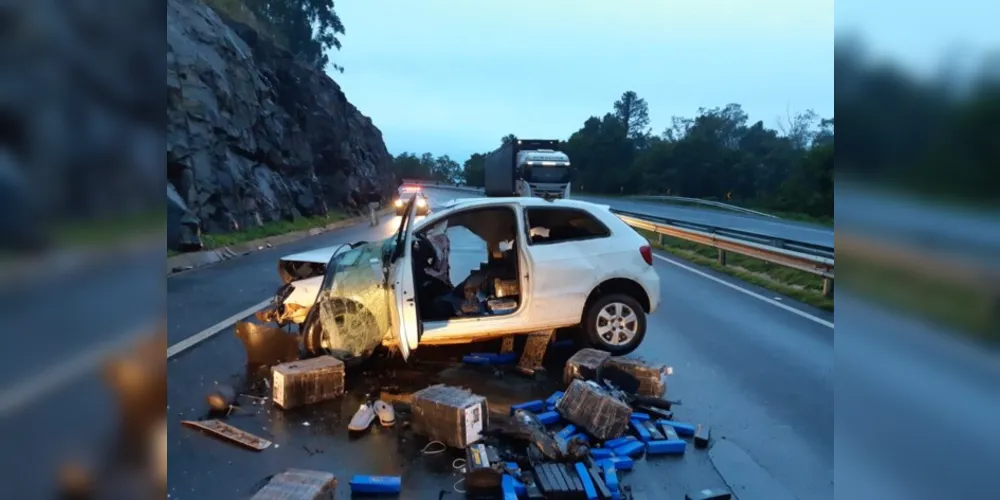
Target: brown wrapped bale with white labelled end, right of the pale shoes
[{"x": 451, "y": 415}]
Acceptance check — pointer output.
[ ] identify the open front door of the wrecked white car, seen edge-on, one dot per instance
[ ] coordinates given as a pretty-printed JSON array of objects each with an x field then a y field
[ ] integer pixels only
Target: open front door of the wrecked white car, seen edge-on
[{"x": 406, "y": 321}]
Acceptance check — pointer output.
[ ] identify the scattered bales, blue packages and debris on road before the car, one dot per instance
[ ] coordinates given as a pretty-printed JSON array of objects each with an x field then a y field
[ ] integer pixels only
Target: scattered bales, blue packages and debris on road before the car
[{"x": 575, "y": 443}]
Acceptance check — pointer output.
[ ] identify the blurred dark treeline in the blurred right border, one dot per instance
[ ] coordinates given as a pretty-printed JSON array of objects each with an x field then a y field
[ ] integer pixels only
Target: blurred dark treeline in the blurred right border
[{"x": 937, "y": 136}]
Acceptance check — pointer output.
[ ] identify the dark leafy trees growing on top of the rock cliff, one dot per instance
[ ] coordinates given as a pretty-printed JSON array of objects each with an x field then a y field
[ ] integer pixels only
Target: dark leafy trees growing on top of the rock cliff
[{"x": 307, "y": 27}]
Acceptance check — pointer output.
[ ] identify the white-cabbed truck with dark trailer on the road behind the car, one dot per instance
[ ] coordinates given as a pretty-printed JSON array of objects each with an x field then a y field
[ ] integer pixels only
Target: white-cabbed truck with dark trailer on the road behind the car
[{"x": 529, "y": 167}]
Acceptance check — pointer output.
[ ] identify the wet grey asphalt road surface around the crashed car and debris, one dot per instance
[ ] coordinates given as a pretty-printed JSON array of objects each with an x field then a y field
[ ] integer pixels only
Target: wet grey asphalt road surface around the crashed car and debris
[{"x": 761, "y": 376}]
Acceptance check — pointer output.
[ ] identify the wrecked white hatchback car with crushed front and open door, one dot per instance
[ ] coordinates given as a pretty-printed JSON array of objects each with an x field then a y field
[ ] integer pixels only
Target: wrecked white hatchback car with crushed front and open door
[{"x": 530, "y": 265}]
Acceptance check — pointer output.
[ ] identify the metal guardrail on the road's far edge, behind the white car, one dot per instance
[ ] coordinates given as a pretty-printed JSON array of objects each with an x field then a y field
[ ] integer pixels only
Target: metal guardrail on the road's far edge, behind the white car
[{"x": 806, "y": 257}]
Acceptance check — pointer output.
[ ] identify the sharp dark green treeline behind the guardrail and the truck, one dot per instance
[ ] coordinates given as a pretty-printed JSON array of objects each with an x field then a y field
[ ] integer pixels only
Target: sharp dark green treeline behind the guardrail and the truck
[{"x": 716, "y": 155}]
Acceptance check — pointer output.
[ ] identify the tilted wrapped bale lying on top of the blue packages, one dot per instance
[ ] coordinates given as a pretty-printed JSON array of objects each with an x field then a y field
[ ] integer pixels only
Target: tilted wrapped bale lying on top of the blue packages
[{"x": 587, "y": 405}]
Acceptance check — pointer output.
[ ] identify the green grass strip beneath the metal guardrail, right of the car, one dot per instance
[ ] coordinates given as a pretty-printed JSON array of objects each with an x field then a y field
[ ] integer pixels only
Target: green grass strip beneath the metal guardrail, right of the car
[{"x": 801, "y": 286}]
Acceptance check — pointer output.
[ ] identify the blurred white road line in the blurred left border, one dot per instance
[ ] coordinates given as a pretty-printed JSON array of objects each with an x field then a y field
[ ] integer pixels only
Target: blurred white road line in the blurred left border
[{"x": 26, "y": 392}]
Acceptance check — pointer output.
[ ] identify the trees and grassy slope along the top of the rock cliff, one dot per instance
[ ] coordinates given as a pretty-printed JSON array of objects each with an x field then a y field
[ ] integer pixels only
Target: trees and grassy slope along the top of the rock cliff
[{"x": 306, "y": 28}]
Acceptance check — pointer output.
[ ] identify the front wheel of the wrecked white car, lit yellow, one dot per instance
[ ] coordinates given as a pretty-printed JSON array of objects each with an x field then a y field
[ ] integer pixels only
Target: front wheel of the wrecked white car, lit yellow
[{"x": 342, "y": 329}]
